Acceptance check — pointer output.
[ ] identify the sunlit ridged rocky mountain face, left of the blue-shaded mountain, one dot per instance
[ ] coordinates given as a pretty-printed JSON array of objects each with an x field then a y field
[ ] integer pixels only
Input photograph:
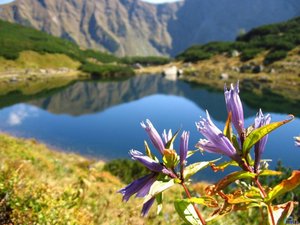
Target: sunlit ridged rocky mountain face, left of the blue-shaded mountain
[{"x": 129, "y": 27}]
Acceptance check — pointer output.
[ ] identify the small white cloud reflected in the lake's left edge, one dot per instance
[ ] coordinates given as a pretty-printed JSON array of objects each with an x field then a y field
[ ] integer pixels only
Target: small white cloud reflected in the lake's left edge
[{"x": 20, "y": 113}]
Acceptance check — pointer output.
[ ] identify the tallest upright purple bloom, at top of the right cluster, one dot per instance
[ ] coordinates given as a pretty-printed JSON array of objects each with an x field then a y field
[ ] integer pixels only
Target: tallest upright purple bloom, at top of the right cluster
[{"x": 234, "y": 106}]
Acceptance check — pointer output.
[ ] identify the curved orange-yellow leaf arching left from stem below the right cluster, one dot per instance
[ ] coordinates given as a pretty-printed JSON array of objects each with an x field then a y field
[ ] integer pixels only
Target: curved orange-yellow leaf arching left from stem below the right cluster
[{"x": 229, "y": 179}]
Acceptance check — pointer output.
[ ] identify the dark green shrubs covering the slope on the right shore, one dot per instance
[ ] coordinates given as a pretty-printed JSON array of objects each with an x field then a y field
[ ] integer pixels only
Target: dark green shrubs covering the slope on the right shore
[{"x": 276, "y": 39}]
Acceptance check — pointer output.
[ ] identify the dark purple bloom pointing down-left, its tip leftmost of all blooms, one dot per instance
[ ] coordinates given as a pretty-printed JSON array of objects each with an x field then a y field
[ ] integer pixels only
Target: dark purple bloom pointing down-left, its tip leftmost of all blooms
[{"x": 140, "y": 187}]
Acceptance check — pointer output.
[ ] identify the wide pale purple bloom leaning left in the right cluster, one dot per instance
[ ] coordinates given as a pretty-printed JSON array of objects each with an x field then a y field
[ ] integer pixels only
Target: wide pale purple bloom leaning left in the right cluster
[{"x": 216, "y": 141}]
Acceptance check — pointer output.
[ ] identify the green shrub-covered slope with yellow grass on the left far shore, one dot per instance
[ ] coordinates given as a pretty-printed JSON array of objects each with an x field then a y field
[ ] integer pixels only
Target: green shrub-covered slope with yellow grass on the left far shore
[{"x": 17, "y": 41}]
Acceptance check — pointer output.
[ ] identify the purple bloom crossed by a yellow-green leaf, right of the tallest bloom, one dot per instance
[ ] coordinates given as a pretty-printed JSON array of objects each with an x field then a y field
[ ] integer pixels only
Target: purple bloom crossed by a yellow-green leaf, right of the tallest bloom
[{"x": 259, "y": 147}]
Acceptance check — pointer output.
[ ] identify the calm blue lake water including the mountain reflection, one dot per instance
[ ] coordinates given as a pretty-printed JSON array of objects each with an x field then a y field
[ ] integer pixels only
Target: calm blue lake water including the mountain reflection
[{"x": 102, "y": 118}]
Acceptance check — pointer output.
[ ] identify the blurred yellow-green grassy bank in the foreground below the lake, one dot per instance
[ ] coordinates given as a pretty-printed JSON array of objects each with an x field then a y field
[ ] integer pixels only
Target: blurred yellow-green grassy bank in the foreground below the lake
[{"x": 42, "y": 186}]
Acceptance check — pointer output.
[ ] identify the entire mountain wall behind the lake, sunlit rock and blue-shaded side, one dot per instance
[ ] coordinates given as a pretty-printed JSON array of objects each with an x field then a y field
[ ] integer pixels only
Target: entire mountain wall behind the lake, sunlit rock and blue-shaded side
[{"x": 133, "y": 27}]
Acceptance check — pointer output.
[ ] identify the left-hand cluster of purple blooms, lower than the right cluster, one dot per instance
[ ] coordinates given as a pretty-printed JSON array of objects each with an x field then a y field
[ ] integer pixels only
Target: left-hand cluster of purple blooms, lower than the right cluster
[{"x": 141, "y": 187}]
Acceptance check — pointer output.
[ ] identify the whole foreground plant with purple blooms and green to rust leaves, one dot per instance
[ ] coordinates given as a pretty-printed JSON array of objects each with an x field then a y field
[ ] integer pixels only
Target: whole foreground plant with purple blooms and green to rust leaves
[{"x": 173, "y": 168}]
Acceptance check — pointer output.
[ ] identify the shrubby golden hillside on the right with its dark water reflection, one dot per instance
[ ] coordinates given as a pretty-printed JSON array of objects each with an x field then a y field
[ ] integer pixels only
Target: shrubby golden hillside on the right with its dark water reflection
[{"x": 266, "y": 60}]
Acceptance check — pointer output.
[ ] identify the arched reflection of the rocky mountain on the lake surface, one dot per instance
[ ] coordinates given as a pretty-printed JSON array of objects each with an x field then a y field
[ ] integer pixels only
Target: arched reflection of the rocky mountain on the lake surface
[{"x": 92, "y": 96}]
